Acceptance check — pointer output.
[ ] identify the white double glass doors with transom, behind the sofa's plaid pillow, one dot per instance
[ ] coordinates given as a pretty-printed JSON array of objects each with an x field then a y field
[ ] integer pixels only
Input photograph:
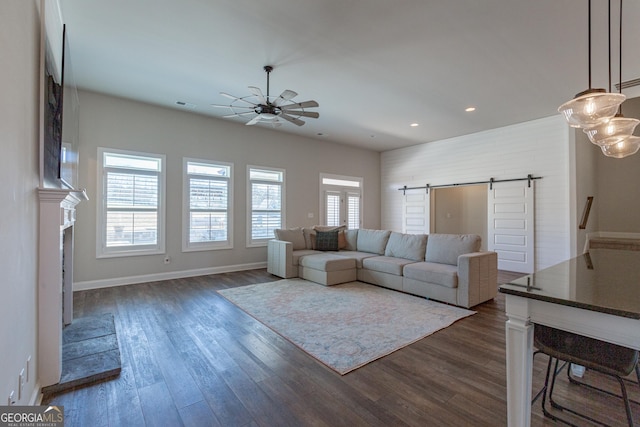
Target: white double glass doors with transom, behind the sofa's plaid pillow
[{"x": 340, "y": 201}]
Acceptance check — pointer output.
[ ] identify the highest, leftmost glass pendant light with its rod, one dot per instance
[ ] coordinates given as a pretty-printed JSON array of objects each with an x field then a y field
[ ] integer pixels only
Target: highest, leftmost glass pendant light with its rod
[{"x": 593, "y": 106}]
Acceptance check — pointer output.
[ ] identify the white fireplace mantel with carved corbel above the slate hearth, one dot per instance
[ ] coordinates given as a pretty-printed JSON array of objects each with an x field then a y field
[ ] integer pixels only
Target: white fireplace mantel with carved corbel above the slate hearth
[{"x": 57, "y": 217}]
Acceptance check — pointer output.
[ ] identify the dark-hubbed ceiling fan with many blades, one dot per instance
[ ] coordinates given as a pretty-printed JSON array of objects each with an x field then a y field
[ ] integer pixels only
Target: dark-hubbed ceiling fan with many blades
[{"x": 267, "y": 109}]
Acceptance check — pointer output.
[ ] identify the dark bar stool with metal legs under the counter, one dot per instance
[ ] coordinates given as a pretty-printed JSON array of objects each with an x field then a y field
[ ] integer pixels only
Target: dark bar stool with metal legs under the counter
[{"x": 599, "y": 356}]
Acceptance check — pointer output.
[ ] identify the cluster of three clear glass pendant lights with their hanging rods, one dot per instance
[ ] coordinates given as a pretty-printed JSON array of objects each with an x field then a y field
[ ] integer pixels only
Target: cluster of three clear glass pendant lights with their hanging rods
[{"x": 599, "y": 113}]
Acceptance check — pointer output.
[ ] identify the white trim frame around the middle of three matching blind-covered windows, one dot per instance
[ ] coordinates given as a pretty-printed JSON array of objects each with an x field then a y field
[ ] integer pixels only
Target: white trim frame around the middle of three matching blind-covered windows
[{"x": 206, "y": 246}]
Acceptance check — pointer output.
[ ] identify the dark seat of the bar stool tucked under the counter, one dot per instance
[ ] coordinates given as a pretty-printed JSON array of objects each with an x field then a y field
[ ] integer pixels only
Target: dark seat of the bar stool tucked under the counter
[{"x": 608, "y": 358}]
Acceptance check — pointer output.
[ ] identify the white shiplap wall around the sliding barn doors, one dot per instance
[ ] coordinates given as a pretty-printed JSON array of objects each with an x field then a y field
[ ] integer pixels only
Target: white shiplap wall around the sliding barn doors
[{"x": 540, "y": 147}]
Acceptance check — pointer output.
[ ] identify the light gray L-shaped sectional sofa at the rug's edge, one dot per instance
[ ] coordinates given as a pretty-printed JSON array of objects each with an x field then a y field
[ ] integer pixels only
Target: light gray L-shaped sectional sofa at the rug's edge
[{"x": 444, "y": 267}]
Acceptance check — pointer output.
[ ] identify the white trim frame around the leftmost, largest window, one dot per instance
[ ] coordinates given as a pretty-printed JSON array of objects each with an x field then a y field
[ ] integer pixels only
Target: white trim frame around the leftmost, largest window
[{"x": 101, "y": 248}]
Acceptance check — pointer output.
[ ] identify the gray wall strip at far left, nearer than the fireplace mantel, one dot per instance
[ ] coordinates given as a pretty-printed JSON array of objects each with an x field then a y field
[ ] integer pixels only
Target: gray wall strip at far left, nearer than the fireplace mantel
[{"x": 19, "y": 56}]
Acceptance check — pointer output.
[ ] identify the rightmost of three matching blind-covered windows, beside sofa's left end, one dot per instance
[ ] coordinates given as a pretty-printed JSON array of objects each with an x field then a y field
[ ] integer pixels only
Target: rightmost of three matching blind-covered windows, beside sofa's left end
[{"x": 266, "y": 201}]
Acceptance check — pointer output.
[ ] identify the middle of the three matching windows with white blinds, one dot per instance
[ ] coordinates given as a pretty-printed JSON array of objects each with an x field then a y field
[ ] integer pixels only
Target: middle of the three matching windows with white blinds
[{"x": 207, "y": 215}]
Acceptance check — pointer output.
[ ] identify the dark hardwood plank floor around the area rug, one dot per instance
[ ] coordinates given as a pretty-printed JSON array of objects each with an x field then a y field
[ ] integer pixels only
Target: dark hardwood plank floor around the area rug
[{"x": 190, "y": 357}]
